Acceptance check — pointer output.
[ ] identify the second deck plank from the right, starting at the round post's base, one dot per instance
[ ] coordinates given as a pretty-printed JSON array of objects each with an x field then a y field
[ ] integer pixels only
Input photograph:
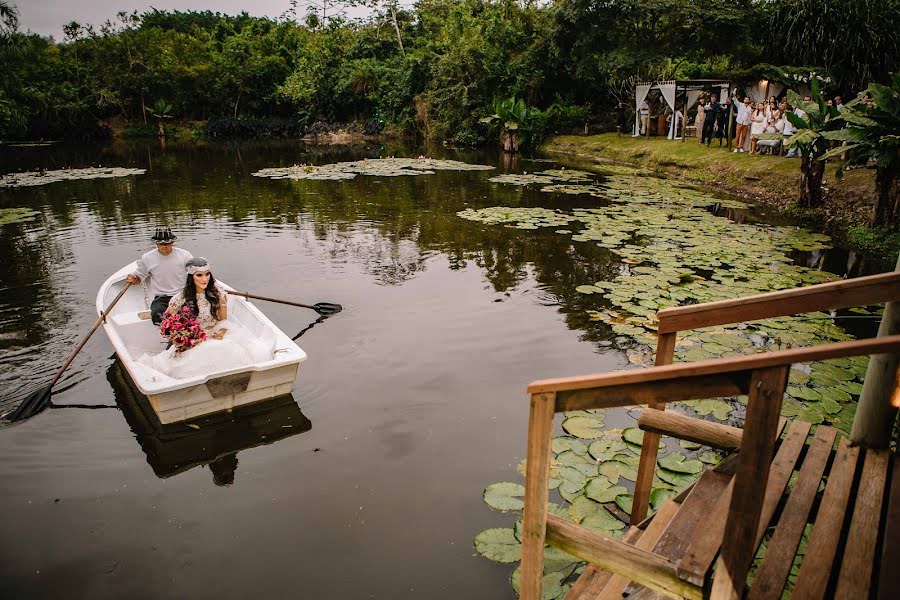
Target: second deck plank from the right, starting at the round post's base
[{"x": 855, "y": 578}]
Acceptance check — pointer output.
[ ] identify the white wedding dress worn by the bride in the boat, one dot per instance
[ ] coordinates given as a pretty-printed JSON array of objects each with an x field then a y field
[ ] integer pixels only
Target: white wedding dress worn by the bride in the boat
[{"x": 236, "y": 349}]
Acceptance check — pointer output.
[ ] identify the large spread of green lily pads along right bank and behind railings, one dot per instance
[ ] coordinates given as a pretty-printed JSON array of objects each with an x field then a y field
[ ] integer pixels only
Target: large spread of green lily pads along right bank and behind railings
[{"x": 673, "y": 251}]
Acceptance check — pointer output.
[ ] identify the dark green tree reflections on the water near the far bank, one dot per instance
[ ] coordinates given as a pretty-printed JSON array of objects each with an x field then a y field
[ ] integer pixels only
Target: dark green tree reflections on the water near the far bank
[{"x": 388, "y": 226}]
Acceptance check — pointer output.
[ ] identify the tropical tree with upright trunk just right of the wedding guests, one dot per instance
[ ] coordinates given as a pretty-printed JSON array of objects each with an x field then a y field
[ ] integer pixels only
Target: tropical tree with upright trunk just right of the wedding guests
[{"x": 815, "y": 128}]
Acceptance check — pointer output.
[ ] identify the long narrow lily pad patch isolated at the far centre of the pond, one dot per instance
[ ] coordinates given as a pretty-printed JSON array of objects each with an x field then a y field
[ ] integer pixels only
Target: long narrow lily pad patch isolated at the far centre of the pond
[{"x": 377, "y": 167}]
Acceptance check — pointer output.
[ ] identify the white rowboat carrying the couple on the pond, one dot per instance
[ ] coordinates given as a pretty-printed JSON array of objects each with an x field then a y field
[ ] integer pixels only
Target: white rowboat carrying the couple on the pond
[{"x": 132, "y": 334}]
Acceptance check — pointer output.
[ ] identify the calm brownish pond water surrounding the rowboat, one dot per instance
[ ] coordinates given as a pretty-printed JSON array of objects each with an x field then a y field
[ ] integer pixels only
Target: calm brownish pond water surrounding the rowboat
[{"x": 367, "y": 482}]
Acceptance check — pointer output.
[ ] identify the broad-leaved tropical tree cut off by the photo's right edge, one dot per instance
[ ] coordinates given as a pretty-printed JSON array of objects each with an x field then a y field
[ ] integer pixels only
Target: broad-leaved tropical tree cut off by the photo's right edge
[{"x": 872, "y": 134}]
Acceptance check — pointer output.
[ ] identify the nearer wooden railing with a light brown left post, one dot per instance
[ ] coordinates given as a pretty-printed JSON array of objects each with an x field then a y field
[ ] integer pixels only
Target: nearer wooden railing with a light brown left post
[{"x": 763, "y": 377}]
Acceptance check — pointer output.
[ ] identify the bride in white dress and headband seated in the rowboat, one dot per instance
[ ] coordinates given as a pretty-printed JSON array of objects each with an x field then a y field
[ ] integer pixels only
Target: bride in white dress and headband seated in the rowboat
[{"x": 227, "y": 346}]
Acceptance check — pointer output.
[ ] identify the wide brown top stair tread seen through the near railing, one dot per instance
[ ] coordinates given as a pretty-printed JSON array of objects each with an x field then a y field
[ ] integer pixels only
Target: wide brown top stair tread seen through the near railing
[{"x": 693, "y": 515}]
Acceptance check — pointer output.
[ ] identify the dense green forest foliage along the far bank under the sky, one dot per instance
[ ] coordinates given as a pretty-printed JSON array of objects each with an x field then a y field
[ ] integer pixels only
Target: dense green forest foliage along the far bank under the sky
[{"x": 435, "y": 69}]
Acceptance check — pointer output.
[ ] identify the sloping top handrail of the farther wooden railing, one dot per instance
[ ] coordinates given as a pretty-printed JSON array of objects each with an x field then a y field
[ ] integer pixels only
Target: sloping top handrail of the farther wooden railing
[{"x": 873, "y": 289}]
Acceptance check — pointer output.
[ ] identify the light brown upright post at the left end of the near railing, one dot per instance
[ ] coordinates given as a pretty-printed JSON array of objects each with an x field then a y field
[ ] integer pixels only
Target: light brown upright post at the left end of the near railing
[{"x": 537, "y": 476}]
